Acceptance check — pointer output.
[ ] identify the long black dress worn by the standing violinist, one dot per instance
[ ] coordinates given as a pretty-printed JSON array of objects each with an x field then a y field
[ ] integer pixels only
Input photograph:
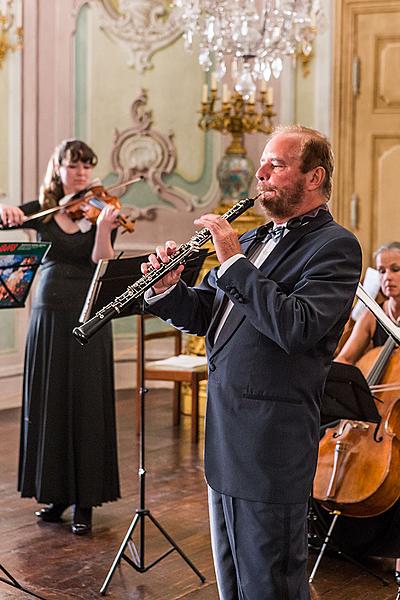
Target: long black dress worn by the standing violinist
[{"x": 68, "y": 449}]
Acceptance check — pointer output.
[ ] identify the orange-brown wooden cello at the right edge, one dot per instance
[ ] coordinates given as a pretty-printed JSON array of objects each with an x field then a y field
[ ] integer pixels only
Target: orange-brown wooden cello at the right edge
[{"x": 359, "y": 462}]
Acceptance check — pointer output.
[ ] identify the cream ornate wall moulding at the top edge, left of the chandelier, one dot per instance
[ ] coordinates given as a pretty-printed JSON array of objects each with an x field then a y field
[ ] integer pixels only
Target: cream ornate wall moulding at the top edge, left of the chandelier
[{"x": 140, "y": 27}]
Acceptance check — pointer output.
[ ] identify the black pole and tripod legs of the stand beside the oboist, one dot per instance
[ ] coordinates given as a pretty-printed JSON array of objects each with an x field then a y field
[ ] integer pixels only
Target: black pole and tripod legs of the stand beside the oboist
[{"x": 138, "y": 557}]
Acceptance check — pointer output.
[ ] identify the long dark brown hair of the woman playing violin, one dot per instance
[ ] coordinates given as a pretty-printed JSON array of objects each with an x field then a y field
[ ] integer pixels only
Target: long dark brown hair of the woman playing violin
[{"x": 69, "y": 151}]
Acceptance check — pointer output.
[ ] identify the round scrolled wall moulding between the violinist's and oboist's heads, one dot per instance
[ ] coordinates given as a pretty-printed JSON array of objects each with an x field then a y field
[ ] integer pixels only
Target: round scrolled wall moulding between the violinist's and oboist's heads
[{"x": 143, "y": 151}]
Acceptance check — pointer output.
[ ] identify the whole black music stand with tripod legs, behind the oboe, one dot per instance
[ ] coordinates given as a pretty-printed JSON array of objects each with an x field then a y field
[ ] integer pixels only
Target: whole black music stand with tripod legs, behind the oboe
[{"x": 110, "y": 280}]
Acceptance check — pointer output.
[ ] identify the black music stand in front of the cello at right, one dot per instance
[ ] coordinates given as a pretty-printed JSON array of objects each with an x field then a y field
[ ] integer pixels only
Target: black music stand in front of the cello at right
[{"x": 347, "y": 396}]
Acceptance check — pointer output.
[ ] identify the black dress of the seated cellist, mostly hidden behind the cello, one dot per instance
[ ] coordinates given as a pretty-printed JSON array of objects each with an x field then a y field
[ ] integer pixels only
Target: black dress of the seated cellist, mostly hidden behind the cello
[{"x": 370, "y": 536}]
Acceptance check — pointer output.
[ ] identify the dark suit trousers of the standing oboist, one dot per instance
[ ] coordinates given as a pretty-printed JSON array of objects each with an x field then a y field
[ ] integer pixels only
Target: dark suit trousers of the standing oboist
[{"x": 259, "y": 549}]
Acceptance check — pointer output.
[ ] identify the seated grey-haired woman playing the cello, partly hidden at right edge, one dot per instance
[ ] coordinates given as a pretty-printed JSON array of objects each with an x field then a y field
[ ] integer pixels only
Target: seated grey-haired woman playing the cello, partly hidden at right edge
[{"x": 380, "y": 535}]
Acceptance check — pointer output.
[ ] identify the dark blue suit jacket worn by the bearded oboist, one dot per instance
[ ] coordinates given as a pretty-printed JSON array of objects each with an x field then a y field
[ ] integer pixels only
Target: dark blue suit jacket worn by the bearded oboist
[{"x": 268, "y": 367}]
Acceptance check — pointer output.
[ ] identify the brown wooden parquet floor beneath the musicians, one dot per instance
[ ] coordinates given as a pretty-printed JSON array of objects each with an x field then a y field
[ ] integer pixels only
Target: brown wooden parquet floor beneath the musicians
[{"x": 50, "y": 561}]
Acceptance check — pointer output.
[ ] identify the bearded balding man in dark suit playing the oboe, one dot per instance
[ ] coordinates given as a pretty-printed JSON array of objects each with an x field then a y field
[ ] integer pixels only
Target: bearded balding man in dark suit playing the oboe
[{"x": 272, "y": 314}]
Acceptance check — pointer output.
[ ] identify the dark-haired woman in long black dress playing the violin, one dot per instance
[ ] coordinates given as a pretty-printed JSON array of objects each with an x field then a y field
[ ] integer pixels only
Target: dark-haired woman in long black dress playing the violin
[{"x": 68, "y": 451}]
